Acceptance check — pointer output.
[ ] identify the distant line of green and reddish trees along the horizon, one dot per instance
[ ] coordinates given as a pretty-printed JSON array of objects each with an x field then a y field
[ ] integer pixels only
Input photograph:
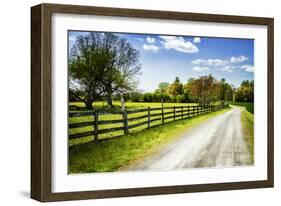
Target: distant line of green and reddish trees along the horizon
[{"x": 203, "y": 90}]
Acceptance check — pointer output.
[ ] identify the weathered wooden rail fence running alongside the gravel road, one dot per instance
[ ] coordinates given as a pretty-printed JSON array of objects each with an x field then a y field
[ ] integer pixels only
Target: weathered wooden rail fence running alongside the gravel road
[{"x": 161, "y": 117}]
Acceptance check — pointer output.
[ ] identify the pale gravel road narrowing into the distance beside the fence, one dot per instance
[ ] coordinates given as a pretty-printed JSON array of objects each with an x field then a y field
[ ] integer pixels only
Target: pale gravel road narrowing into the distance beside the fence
[{"x": 218, "y": 142}]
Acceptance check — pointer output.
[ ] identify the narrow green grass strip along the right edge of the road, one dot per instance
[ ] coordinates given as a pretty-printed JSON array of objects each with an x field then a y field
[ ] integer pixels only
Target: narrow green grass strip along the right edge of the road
[{"x": 247, "y": 120}]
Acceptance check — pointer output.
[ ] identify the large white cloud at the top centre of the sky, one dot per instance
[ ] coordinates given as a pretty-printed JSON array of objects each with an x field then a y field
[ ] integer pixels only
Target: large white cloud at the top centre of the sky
[{"x": 178, "y": 44}]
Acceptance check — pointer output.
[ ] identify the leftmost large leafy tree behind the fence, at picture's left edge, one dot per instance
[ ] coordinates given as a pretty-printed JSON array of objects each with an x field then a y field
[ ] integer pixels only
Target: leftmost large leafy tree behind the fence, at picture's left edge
[{"x": 86, "y": 66}]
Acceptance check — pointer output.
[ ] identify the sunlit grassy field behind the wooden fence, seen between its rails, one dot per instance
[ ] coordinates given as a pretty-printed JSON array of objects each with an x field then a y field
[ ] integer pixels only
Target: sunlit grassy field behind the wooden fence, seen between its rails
[{"x": 129, "y": 106}]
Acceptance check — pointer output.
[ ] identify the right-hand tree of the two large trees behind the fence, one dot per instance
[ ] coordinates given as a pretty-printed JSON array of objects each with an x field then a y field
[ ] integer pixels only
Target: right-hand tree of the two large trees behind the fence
[{"x": 120, "y": 73}]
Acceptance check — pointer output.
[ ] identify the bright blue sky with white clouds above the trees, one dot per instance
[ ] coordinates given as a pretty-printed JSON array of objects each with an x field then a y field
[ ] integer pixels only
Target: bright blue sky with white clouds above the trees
[{"x": 165, "y": 57}]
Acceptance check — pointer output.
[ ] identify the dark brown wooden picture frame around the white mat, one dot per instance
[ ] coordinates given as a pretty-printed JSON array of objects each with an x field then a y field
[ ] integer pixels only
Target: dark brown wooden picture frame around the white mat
[{"x": 41, "y": 101}]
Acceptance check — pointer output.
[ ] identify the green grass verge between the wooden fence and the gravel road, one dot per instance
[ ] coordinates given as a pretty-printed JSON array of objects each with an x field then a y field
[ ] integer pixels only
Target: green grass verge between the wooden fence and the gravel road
[{"x": 115, "y": 153}]
